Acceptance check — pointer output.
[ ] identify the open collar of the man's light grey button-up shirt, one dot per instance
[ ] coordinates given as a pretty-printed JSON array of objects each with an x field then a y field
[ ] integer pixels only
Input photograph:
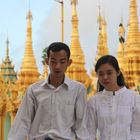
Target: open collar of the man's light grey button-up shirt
[{"x": 66, "y": 82}]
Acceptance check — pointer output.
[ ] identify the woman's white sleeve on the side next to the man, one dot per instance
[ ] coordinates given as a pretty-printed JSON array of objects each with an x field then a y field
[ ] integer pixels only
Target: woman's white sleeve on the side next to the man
[{"x": 92, "y": 118}]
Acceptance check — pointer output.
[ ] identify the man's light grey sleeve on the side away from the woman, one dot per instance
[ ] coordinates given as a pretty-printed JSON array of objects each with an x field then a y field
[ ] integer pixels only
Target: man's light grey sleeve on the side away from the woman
[{"x": 21, "y": 125}]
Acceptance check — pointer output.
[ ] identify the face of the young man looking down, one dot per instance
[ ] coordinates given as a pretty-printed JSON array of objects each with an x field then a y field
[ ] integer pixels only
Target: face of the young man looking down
[{"x": 58, "y": 63}]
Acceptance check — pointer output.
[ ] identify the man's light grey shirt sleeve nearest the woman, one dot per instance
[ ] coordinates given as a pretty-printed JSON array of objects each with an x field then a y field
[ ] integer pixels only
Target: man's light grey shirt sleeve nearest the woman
[{"x": 81, "y": 115}]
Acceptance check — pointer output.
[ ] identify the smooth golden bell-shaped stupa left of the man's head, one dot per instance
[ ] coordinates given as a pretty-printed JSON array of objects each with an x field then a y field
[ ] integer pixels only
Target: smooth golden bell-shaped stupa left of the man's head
[{"x": 28, "y": 72}]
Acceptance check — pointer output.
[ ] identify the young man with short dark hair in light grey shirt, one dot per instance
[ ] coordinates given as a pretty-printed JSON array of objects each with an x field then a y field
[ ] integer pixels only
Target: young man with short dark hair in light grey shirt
[{"x": 53, "y": 109}]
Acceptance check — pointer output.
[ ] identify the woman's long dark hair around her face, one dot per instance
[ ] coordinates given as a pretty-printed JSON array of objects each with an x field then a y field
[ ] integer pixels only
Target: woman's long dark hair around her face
[{"x": 109, "y": 59}]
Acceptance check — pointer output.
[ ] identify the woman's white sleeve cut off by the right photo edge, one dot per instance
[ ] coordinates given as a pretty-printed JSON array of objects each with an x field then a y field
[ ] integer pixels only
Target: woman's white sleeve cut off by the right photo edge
[{"x": 136, "y": 118}]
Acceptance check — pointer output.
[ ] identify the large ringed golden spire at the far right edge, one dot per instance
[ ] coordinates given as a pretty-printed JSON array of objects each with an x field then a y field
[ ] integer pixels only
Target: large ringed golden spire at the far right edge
[{"x": 132, "y": 47}]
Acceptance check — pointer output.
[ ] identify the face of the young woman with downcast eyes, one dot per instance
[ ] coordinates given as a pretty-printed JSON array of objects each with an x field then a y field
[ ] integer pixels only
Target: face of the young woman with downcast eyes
[{"x": 107, "y": 76}]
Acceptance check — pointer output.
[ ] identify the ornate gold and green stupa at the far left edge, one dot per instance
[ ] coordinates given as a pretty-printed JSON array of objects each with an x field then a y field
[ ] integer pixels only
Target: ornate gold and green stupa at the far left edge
[{"x": 8, "y": 95}]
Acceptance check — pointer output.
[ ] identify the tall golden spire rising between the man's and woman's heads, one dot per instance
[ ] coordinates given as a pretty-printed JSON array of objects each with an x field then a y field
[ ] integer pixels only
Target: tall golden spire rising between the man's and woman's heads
[{"x": 77, "y": 70}]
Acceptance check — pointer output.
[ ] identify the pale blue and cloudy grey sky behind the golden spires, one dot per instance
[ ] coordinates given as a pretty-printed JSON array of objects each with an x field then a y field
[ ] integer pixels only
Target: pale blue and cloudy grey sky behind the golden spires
[{"x": 46, "y": 26}]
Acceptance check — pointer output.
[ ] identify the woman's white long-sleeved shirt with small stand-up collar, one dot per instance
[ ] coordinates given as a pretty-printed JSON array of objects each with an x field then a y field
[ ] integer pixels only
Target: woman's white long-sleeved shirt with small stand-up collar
[{"x": 117, "y": 117}]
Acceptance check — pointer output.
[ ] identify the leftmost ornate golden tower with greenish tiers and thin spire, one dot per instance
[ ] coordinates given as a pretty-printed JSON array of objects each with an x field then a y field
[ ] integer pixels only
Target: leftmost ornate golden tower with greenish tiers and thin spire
[{"x": 9, "y": 92}]
